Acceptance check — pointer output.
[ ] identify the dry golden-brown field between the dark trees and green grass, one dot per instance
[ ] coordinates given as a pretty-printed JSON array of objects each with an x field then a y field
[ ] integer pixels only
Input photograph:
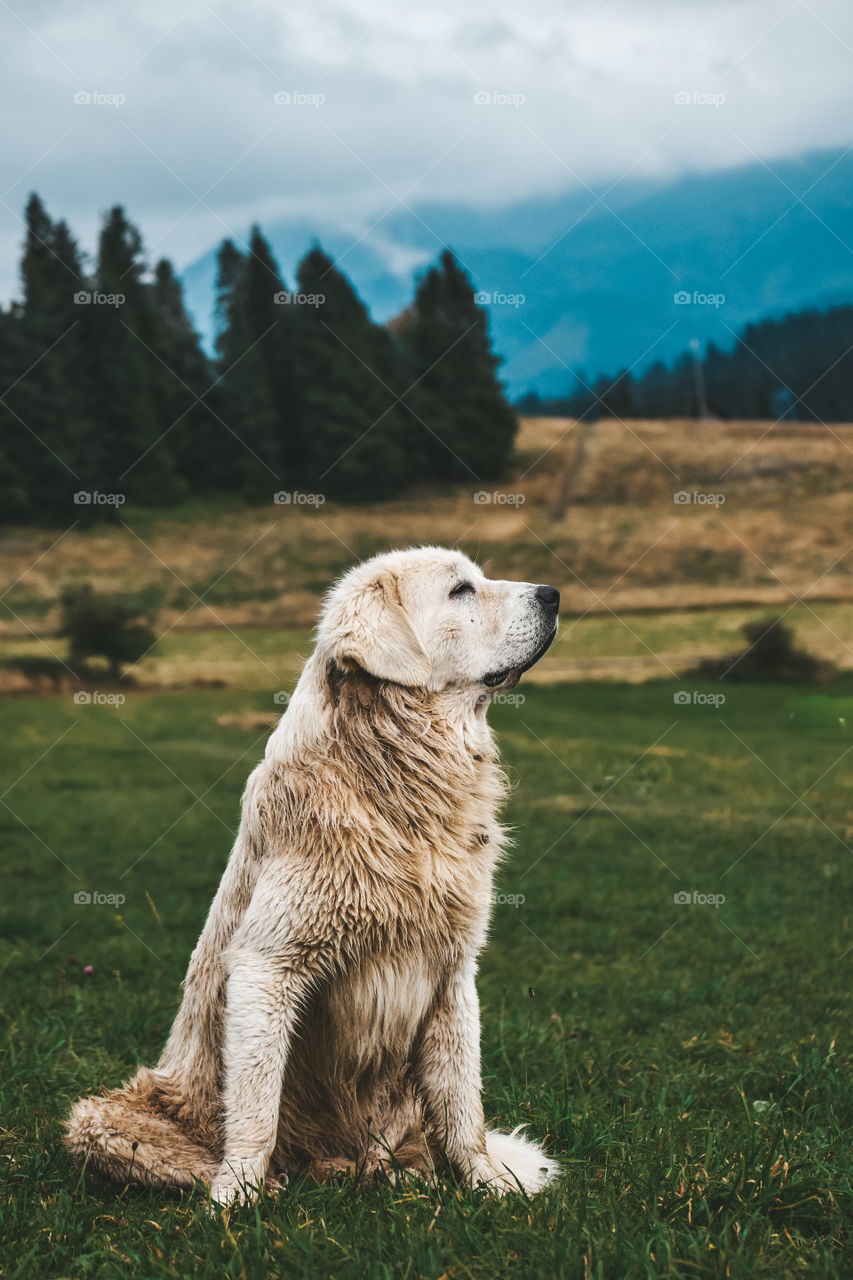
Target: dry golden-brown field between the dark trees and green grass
[{"x": 649, "y": 582}]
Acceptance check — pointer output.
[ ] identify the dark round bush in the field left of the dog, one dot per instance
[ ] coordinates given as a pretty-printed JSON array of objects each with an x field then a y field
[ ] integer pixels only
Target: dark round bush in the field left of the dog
[{"x": 104, "y": 627}]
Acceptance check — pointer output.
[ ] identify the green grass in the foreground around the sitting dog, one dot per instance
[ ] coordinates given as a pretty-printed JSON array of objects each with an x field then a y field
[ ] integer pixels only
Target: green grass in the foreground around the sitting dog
[{"x": 635, "y": 1034}]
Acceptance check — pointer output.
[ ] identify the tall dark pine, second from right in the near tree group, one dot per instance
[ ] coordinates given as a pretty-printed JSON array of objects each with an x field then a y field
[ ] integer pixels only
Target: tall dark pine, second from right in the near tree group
[{"x": 354, "y": 431}]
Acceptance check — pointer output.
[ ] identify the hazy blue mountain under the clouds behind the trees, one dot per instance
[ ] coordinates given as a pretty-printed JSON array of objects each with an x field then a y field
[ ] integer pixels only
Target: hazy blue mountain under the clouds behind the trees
[{"x": 590, "y": 281}]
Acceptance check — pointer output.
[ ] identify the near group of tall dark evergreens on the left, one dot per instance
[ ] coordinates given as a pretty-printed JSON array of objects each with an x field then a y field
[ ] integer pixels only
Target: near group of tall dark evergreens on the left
[{"x": 107, "y": 391}]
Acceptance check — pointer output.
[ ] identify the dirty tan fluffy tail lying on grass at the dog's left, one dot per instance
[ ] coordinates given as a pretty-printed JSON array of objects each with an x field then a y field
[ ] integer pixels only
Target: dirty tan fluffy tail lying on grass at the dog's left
[{"x": 129, "y": 1137}]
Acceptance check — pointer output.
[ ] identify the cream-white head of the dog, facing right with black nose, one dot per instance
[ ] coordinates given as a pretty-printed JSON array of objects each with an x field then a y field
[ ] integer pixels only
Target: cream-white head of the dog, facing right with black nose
[{"x": 431, "y": 619}]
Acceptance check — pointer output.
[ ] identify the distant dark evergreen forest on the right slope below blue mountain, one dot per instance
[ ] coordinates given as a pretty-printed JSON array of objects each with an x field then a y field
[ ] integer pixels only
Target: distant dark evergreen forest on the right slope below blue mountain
[{"x": 800, "y": 368}]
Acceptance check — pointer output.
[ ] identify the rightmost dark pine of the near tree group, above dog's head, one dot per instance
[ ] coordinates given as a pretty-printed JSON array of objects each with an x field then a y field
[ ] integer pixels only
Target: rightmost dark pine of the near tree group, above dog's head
[{"x": 467, "y": 426}]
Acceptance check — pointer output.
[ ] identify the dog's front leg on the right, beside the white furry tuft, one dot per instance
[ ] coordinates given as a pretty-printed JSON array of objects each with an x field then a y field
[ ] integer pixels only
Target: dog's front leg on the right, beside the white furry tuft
[{"x": 448, "y": 1071}]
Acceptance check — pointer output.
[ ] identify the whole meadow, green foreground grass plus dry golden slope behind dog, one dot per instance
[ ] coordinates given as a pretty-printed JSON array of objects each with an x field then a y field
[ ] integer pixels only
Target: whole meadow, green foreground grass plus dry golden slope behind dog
[{"x": 667, "y": 991}]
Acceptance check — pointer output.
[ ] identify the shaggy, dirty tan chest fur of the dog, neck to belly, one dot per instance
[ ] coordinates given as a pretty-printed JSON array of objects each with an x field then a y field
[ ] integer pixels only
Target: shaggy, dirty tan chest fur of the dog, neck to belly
[{"x": 393, "y": 871}]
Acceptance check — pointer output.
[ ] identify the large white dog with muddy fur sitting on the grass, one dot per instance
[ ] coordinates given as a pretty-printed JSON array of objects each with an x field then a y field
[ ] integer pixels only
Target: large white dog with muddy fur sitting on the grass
[{"x": 330, "y": 1018}]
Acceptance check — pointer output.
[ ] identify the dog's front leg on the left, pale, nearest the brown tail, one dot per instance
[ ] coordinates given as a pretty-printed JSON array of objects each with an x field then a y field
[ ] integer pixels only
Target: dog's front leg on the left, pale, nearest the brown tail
[{"x": 262, "y": 1007}]
